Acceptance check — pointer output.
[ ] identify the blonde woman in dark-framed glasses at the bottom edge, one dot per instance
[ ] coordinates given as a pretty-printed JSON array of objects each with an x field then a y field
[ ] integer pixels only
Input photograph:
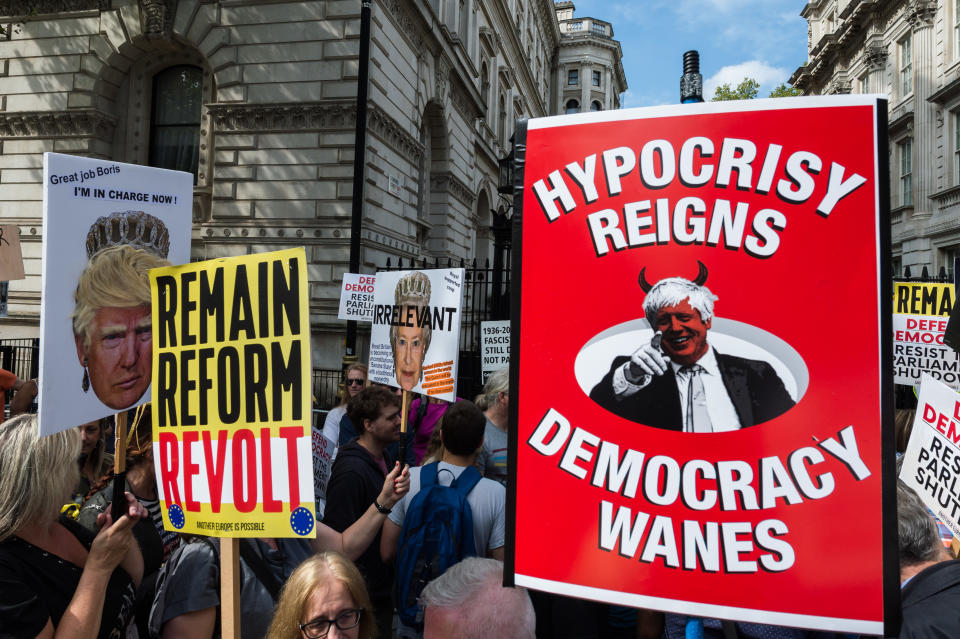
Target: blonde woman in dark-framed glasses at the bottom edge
[{"x": 324, "y": 597}]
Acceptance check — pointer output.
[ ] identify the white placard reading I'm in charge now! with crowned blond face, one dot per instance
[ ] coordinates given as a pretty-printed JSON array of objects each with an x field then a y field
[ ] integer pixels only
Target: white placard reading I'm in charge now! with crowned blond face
[{"x": 105, "y": 224}]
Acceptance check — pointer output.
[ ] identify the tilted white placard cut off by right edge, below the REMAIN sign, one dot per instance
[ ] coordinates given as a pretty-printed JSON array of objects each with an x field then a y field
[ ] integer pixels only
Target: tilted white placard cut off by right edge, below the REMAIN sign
[{"x": 932, "y": 457}]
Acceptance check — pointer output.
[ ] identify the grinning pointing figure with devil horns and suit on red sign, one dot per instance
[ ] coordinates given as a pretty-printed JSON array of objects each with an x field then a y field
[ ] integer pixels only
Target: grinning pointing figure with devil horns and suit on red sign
[{"x": 678, "y": 381}]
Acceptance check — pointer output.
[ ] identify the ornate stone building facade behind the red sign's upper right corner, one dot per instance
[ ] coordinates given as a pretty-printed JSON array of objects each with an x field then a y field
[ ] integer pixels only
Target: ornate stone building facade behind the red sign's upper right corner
[{"x": 910, "y": 51}]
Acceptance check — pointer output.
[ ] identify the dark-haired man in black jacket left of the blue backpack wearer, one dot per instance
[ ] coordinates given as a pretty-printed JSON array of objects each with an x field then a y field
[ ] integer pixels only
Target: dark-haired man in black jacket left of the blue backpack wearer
[{"x": 355, "y": 481}]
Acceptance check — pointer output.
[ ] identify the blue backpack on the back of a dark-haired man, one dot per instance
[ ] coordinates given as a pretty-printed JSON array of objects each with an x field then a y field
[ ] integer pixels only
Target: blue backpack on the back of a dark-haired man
[{"x": 437, "y": 533}]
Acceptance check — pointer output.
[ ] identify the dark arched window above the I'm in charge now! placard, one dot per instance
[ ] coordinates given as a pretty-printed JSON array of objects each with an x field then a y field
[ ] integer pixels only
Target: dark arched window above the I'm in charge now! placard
[{"x": 175, "y": 119}]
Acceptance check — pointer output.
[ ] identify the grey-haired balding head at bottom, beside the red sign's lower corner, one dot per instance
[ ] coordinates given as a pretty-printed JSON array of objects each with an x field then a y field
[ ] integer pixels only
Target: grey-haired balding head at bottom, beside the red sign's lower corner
[{"x": 469, "y": 601}]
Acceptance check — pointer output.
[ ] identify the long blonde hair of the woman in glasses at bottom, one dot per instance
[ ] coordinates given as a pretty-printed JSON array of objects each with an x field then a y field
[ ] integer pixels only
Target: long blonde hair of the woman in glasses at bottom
[{"x": 301, "y": 586}]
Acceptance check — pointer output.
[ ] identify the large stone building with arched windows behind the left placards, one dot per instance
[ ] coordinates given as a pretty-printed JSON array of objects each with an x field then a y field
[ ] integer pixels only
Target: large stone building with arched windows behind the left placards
[{"x": 262, "y": 95}]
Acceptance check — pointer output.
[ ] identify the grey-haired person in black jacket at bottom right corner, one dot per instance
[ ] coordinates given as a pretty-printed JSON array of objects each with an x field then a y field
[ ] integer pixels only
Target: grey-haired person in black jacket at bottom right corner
[{"x": 929, "y": 579}]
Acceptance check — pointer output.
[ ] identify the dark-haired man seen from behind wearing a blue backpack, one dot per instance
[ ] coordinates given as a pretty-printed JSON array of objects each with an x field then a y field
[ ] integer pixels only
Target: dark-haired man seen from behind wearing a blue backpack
[{"x": 450, "y": 513}]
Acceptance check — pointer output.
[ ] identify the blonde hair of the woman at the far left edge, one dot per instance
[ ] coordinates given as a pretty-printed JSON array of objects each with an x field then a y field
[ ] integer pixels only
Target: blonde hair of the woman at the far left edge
[{"x": 37, "y": 474}]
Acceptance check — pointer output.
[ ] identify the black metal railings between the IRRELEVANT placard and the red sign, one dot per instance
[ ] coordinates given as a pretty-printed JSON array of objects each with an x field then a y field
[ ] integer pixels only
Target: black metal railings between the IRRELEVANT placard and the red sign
[{"x": 486, "y": 296}]
